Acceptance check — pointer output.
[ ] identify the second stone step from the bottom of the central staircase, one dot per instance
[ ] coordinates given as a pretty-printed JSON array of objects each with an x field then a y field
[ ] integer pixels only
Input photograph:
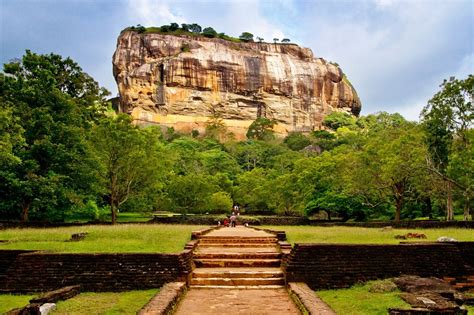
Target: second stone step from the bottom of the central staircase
[{"x": 237, "y": 273}]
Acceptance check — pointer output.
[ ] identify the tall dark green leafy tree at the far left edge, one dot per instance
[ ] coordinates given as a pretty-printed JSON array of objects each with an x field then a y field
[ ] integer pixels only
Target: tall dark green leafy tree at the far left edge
[{"x": 47, "y": 103}]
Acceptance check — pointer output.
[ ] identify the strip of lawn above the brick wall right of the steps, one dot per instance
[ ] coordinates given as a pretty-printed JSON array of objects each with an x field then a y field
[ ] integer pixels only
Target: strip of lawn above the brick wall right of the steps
[{"x": 357, "y": 235}]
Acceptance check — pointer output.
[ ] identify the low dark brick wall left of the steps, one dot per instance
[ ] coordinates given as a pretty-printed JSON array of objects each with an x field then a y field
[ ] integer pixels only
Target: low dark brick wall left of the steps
[{"x": 42, "y": 271}]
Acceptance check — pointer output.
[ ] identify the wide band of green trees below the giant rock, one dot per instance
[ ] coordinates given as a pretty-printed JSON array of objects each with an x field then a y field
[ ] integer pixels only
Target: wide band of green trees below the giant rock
[{"x": 64, "y": 154}]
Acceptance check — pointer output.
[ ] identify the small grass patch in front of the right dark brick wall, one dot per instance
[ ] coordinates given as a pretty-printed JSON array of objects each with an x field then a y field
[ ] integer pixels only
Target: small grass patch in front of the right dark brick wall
[{"x": 358, "y": 300}]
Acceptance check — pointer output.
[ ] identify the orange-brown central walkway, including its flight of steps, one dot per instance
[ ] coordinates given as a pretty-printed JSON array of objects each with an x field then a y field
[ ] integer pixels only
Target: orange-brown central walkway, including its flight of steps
[{"x": 238, "y": 273}]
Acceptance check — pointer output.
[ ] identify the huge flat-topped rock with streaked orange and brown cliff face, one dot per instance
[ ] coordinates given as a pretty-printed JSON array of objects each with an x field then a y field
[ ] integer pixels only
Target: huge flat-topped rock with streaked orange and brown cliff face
[{"x": 182, "y": 81}]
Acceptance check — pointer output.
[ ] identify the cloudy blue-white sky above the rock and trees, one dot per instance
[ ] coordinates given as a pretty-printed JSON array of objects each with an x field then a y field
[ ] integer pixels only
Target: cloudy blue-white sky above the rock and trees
[{"x": 395, "y": 53}]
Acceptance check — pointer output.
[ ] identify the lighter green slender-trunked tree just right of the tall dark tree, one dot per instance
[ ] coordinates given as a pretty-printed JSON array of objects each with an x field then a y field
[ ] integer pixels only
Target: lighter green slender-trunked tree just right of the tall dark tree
[{"x": 128, "y": 160}]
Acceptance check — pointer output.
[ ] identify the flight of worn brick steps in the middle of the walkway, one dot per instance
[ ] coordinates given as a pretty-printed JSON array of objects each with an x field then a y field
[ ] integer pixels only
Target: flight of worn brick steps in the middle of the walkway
[{"x": 237, "y": 262}]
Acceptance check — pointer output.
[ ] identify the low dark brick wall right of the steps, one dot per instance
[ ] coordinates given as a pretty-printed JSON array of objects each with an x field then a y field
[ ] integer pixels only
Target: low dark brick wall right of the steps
[{"x": 337, "y": 266}]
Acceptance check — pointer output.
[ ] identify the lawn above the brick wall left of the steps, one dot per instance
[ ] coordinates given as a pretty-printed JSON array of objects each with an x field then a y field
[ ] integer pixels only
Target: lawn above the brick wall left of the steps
[{"x": 124, "y": 238}]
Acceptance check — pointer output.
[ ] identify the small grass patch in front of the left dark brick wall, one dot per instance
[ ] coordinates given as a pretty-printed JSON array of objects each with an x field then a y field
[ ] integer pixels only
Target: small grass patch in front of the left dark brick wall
[{"x": 105, "y": 303}]
